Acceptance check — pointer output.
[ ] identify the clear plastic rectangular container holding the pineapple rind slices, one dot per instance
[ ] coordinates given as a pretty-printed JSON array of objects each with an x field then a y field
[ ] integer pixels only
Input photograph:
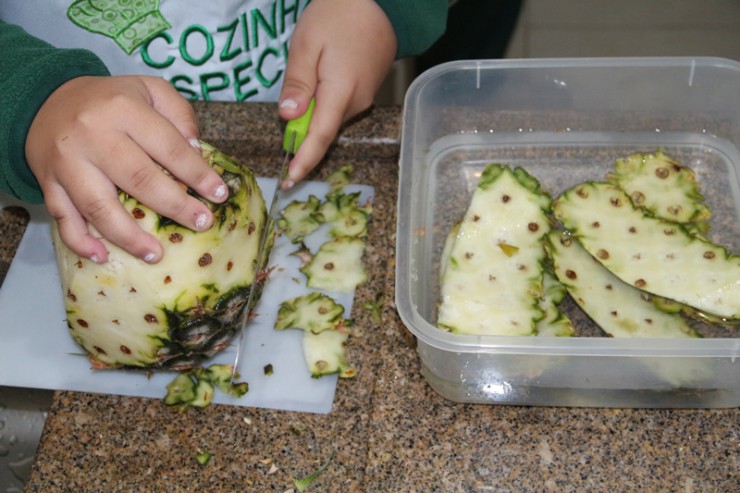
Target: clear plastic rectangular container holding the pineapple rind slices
[{"x": 564, "y": 121}]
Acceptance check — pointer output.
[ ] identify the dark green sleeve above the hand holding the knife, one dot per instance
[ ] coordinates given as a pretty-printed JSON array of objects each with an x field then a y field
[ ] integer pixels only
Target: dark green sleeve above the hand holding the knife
[{"x": 417, "y": 23}]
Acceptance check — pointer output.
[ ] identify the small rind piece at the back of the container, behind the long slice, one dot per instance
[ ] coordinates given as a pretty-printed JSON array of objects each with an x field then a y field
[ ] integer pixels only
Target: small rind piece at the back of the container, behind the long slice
[{"x": 663, "y": 187}]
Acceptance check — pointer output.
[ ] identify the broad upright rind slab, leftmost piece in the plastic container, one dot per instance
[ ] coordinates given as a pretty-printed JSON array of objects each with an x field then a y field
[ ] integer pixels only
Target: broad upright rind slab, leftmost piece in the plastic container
[{"x": 492, "y": 272}]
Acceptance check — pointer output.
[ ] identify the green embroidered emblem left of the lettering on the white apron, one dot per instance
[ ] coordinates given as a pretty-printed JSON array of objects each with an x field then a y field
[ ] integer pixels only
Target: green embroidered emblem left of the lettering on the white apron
[{"x": 130, "y": 23}]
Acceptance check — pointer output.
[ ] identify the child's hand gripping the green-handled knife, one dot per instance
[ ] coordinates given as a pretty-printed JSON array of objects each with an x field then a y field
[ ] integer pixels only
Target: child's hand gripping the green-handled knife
[{"x": 340, "y": 53}]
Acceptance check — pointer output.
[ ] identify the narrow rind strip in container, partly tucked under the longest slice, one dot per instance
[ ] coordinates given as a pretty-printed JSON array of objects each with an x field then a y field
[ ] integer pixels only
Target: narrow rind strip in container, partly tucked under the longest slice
[{"x": 619, "y": 309}]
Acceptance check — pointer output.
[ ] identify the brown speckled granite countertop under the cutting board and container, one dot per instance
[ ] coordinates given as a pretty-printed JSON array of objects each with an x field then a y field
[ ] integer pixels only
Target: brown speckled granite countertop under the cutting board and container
[{"x": 388, "y": 431}]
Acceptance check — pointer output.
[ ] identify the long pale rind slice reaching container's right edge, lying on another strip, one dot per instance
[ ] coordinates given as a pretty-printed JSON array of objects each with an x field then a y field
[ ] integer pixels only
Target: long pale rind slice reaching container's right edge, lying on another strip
[{"x": 657, "y": 256}]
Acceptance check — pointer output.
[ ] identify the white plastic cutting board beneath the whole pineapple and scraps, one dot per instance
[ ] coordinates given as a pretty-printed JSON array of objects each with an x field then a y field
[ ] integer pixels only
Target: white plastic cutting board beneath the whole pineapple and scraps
[{"x": 36, "y": 350}]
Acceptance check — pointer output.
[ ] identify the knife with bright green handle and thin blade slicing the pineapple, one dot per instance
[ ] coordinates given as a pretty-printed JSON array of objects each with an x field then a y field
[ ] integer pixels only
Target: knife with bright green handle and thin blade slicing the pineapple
[{"x": 295, "y": 133}]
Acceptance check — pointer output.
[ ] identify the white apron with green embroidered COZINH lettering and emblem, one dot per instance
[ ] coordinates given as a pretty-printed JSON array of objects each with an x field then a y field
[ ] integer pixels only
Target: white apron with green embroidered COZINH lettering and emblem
[{"x": 217, "y": 50}]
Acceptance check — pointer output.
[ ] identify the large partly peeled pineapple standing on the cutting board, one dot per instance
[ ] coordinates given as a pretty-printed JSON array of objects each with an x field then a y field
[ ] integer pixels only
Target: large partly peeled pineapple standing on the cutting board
[{"x": 173, "y": 314}]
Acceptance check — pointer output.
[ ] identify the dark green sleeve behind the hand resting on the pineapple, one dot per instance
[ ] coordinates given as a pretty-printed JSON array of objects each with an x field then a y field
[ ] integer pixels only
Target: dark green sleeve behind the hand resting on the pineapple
[{"x": 30, "y": 70}]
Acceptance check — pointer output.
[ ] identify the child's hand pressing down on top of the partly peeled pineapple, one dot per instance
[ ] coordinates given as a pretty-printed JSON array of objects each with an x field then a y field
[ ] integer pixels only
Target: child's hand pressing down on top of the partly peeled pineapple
[{"x": 94, "y": 134}]
